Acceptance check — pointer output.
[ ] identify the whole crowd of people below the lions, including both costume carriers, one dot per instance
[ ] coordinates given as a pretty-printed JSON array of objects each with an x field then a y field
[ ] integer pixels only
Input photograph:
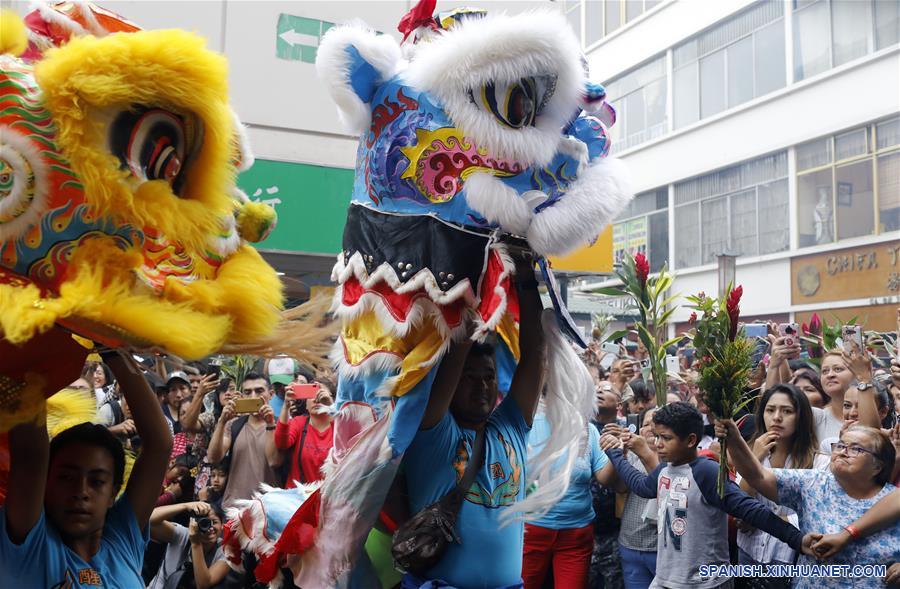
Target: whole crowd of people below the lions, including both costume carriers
[{"x": 814, "y": 461}]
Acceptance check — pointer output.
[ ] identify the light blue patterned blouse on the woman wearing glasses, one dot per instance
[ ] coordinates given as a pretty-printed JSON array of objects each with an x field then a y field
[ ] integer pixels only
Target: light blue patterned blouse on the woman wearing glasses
[{"x": 823, "y": 506}]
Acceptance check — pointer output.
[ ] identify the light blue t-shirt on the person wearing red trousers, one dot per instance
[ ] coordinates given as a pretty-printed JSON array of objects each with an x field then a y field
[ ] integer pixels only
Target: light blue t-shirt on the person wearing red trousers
[{"x": 575, "y": 509}]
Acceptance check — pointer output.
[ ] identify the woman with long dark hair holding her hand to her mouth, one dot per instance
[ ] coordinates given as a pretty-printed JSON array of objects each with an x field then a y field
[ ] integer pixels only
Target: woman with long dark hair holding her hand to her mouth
[{"x": 784, "y": 438}]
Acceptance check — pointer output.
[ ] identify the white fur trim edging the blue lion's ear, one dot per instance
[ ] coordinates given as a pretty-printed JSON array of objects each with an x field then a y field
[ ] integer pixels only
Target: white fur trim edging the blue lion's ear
[{"x": 332, "y": 63}]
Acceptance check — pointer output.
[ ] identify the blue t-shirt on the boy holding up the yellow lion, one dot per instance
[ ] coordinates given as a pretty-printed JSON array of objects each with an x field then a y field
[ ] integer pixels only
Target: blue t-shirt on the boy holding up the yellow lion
[{"x": 42, "y": 560}]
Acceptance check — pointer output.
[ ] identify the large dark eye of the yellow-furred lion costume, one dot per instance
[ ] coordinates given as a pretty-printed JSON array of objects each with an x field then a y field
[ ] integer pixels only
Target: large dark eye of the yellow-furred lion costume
[{"x": 155, "y": 144}]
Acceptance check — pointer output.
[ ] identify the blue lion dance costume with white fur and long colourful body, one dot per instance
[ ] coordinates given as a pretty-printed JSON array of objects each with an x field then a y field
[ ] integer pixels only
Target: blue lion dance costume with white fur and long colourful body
[{"x": 479, "y": 131}]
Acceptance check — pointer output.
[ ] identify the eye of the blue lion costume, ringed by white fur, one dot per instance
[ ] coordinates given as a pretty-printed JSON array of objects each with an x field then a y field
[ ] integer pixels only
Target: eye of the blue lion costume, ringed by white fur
[{"x": 516, "y": 104}]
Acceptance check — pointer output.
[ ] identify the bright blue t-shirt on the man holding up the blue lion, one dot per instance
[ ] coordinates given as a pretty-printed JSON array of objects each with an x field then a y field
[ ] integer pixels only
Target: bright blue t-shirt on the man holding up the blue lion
[{"x": 488, "y": 556}]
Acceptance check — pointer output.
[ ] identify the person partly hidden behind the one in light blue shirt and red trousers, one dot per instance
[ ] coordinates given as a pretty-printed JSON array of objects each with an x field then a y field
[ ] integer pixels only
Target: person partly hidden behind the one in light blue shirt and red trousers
[{"x": 606, "y": 569}]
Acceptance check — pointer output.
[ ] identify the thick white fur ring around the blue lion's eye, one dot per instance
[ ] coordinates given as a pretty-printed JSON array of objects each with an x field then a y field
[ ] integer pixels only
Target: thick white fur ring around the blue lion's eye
[{"x": 503, "y": 49}]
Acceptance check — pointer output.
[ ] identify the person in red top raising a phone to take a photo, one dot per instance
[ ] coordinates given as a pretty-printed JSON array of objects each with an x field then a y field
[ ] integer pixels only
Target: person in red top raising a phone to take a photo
[{"x": 309, "y": 437}]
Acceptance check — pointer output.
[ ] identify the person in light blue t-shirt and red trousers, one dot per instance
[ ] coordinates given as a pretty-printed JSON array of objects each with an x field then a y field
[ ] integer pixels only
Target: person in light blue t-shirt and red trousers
[{"x": 562, "y": 540}]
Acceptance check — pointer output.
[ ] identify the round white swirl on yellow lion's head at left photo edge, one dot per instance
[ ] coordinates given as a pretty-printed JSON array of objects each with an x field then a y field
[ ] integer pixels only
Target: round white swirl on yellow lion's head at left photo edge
[{"x": 18, "y": 151}]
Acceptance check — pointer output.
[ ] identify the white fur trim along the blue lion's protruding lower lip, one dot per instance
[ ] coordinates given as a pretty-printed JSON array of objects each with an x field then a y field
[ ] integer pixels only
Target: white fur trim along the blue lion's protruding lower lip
[{"x": 594, "y": 200}]
